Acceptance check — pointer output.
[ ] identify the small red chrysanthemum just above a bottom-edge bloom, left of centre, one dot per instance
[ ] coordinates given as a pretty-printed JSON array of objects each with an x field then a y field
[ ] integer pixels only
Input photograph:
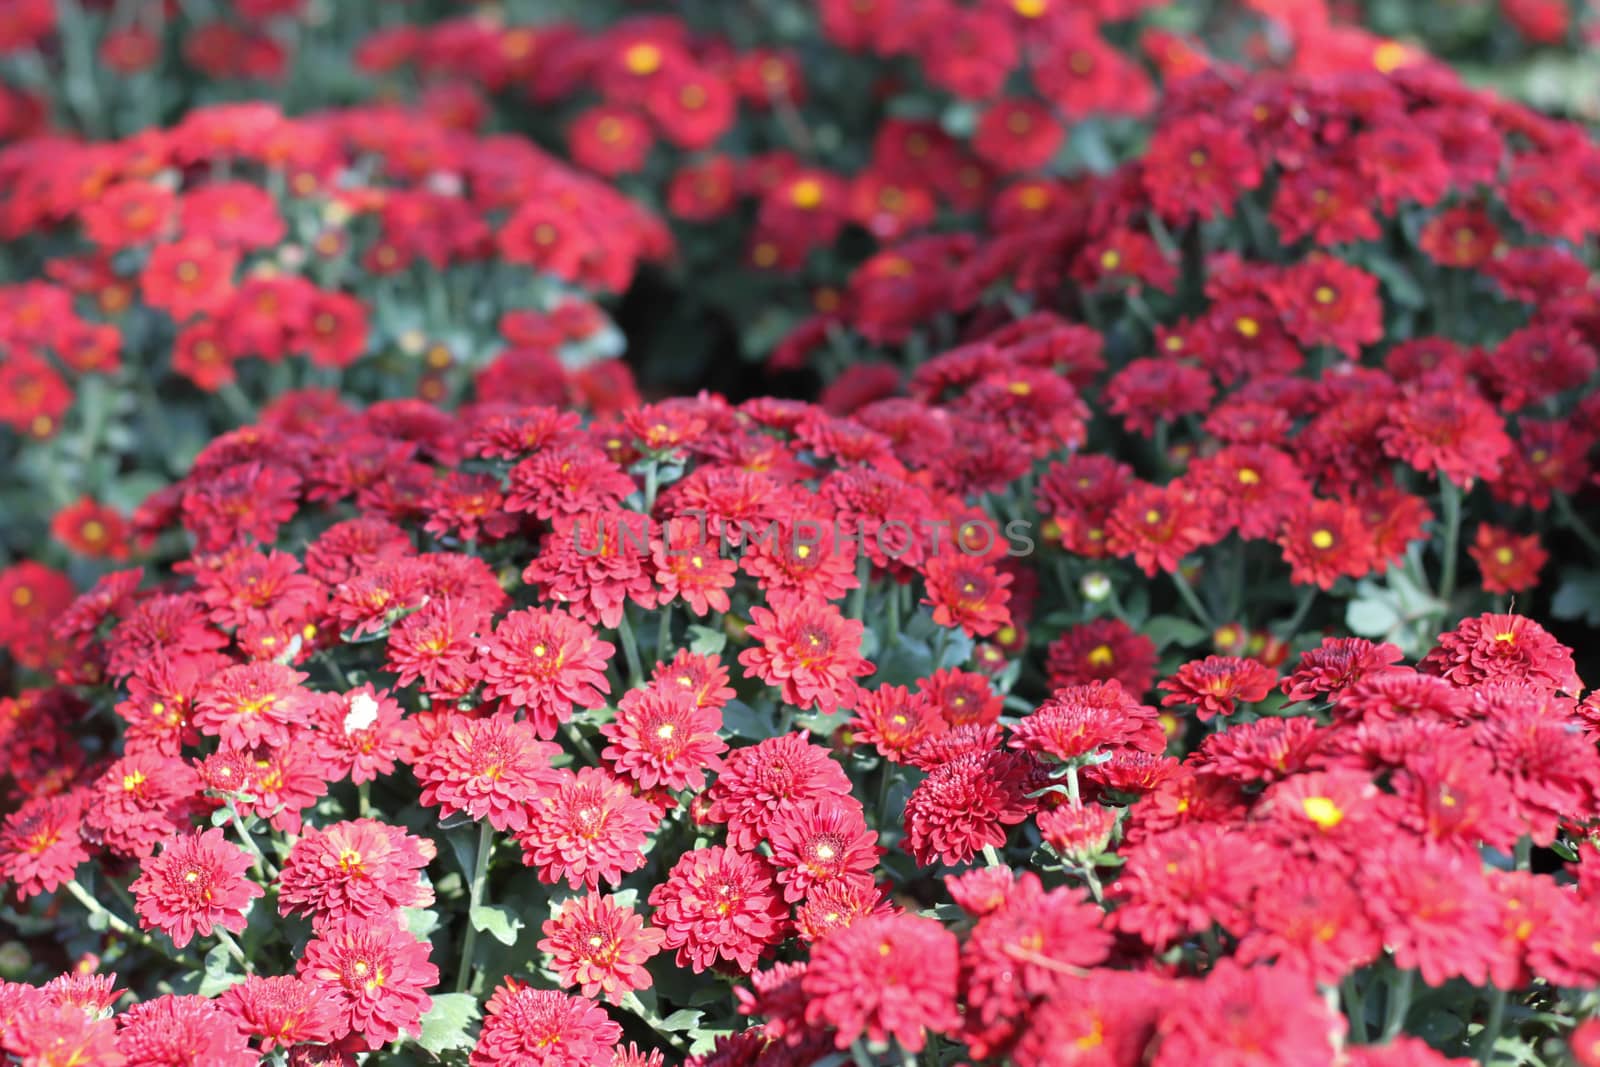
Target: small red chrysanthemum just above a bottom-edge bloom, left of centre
[{"x": 601, "y": 946}]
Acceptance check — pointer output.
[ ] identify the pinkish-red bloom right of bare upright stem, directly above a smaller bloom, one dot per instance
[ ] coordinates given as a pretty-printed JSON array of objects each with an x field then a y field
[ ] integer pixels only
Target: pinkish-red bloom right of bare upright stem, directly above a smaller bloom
[{"x": 588, "y": 828}]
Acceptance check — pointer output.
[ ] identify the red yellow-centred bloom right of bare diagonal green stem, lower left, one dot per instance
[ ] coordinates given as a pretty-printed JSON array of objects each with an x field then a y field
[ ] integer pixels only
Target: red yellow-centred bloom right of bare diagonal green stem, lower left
[{"x": 198, "y": 882}]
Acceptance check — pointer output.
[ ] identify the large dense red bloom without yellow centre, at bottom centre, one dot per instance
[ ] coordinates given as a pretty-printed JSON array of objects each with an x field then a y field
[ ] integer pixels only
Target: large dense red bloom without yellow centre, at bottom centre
[{"x": 884, "y": 977}]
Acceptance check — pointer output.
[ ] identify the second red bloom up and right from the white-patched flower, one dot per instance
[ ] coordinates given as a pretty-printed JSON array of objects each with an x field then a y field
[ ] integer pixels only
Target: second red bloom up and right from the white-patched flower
[{"x": 548, "y": 663}]
